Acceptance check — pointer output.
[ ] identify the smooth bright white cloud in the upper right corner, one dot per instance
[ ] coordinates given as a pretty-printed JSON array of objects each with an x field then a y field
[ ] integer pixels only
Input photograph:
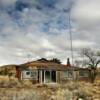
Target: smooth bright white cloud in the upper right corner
[{"x": 86, "y": 12}]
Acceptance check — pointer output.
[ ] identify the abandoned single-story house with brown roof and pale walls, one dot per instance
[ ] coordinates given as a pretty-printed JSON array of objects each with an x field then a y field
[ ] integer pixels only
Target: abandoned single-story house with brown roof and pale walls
[{"x": 42, "y": 71}]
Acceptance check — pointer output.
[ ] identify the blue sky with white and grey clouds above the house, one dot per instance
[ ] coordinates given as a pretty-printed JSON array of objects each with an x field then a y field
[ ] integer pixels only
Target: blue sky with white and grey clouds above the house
[{"x": 31, "y": 29}]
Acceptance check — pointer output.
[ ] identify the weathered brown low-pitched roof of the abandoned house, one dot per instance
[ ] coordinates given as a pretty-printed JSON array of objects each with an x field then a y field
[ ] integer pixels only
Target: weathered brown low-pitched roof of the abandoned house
[{"x": 46, "y": 65}]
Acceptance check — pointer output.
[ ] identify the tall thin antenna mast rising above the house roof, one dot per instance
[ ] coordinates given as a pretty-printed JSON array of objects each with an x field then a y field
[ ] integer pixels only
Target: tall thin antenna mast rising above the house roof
[{"x": 70, "y": 32}]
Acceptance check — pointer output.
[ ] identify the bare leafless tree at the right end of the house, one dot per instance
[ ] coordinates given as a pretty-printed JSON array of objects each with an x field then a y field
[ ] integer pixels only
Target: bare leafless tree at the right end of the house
[{"x": 93, "y": 59}]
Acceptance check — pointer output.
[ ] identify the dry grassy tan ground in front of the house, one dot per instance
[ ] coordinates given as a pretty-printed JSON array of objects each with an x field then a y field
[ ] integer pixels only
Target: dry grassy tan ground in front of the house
[{"x": 12, "y": 89}]
